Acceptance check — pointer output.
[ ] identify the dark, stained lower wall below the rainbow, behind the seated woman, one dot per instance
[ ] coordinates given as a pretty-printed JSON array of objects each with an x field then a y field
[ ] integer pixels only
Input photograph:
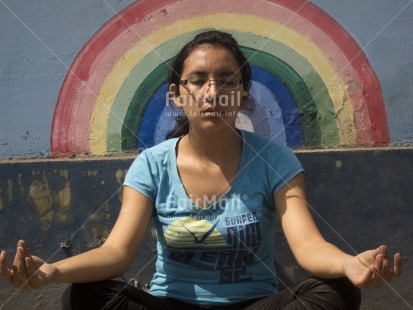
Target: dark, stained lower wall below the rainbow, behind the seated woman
[{"x": 360, "y": 199}]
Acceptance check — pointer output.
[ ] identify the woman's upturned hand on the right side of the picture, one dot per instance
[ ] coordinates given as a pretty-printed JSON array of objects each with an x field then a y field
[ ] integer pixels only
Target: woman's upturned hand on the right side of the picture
[{"x": 373, "y": 268}]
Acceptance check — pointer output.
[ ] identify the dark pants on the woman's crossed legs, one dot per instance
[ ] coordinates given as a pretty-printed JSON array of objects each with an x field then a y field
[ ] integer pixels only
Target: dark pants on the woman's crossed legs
[{"x": 312, "y": 293}]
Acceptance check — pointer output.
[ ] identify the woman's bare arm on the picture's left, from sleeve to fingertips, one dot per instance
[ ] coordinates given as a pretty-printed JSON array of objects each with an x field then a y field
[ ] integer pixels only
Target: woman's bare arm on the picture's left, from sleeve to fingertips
[{"x": 110, "y": 260}]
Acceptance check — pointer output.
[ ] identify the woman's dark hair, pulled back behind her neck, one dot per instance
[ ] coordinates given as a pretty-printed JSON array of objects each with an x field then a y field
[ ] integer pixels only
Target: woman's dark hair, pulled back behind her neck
[{"x": 214, "y": 38}]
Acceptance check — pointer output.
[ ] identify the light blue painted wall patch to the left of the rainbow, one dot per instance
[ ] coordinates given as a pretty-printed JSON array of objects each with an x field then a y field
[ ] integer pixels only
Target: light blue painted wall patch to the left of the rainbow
[{"x": 39, "y": 41}]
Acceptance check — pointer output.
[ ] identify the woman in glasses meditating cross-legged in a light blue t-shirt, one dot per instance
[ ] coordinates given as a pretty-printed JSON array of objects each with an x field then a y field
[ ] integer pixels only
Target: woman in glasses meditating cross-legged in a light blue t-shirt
[{"x": 214, "y": 193}]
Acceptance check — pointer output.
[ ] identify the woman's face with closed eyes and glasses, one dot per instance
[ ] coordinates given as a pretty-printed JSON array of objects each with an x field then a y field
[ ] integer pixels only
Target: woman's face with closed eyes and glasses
[{"x": 212, "y": 94}]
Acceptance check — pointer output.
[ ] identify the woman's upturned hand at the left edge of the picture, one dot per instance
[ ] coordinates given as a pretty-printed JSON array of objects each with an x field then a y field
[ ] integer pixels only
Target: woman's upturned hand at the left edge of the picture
[{"x": 28, "y": 272}]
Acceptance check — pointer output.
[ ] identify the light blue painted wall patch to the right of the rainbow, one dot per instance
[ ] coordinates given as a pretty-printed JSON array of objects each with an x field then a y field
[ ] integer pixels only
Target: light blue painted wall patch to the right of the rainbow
[{"x": 383, "y": 29}]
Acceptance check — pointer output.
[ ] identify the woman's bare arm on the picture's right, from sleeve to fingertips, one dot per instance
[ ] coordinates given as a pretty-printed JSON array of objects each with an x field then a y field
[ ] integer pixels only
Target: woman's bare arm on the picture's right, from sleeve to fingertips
[{"x": 321, "y": 258}]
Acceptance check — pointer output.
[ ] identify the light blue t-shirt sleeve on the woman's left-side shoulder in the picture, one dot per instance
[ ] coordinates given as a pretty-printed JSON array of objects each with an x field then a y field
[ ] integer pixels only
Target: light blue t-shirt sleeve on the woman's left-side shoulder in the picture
[{"x": 143, "y": 175}]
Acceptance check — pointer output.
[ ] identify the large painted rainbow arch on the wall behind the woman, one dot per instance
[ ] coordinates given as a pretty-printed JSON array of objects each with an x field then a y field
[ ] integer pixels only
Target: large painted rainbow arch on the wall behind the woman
[{"x": 312, "y": 83}]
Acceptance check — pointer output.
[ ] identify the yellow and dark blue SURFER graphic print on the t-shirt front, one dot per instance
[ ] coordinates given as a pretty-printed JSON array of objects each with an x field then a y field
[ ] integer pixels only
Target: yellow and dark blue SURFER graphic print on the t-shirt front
[{"x": 199, "y": 244}]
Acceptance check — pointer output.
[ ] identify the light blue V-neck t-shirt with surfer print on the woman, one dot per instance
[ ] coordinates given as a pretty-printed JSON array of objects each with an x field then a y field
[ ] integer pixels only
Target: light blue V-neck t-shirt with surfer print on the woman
[{"x": 224, "y": 253}]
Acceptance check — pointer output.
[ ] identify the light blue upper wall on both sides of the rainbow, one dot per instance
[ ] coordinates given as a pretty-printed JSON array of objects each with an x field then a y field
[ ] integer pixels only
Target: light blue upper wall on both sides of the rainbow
[{"x": 40, "y": 39}]
